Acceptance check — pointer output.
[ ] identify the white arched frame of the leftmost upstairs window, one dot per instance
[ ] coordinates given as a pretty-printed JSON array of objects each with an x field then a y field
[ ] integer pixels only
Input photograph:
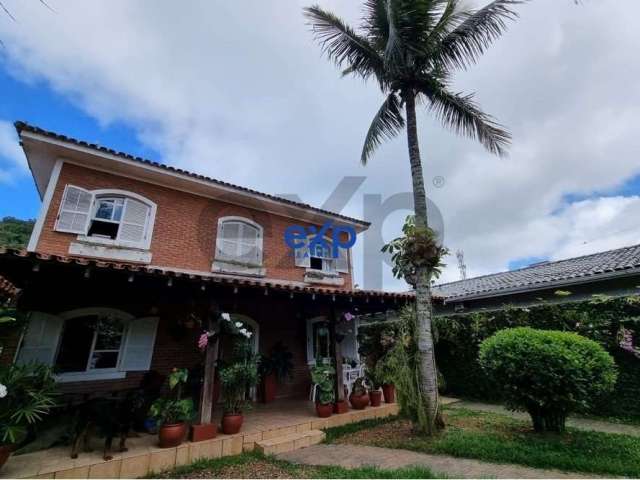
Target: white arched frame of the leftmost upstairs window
[{"x": 124, "y": 194}]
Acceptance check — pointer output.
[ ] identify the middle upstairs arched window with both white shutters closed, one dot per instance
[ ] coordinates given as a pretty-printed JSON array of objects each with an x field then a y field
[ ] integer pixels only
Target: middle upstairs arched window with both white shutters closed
[{"x": 238, "y": 245}]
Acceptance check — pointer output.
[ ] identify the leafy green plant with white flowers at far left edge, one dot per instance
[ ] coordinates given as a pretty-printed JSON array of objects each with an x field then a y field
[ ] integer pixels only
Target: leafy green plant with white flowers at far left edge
[{"x": 27, "y": 394}]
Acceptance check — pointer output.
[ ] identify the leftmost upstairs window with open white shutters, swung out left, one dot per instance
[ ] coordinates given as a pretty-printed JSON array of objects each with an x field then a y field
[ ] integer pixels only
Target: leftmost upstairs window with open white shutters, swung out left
[{"x": 114, "y": 217}]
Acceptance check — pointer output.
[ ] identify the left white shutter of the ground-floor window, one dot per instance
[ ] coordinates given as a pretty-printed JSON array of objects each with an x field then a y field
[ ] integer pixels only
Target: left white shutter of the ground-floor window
[{"x": 40, "y": 341}]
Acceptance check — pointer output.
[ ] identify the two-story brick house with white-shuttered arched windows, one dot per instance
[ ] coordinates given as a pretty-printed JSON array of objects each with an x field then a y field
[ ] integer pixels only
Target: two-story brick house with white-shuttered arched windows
[{"x": 126, "y": 254}]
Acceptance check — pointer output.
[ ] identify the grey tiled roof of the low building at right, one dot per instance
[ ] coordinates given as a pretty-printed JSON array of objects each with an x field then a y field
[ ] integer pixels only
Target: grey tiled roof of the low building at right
[{"x": 587, "y": 268}]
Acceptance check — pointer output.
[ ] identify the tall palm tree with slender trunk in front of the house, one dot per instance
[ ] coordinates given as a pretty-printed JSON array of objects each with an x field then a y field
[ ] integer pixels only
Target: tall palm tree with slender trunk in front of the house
[{"x": 412, "y": 48}]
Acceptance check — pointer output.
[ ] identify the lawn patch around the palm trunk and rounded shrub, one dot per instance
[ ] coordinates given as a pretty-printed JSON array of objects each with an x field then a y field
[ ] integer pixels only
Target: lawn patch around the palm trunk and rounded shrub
[{"x": 501, "y": 439}]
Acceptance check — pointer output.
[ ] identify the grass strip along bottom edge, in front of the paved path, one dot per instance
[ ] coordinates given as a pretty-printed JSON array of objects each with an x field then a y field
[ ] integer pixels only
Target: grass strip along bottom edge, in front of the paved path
[{"x": 257, "y": 465}]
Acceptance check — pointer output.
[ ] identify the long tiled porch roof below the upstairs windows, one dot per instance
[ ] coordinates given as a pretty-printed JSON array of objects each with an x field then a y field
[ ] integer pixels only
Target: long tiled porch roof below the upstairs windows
[{"x": 10, "y": 254}]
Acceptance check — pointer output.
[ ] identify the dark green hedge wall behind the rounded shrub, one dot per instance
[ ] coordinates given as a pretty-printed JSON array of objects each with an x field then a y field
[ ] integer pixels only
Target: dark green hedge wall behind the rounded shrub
[{"x": 600, "y": 319}]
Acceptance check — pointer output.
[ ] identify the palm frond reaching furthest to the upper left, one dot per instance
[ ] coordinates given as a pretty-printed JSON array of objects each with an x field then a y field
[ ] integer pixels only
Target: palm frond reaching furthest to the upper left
[{"x": 343, "y": 45}]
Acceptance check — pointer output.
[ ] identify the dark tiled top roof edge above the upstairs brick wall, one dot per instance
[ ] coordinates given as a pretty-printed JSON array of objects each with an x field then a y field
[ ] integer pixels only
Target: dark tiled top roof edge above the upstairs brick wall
[{"x": 25, "y": 127}]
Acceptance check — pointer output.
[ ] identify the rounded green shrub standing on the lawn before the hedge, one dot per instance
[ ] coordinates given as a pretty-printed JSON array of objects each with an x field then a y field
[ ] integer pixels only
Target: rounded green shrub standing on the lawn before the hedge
[{"x": 547, "y": 373}]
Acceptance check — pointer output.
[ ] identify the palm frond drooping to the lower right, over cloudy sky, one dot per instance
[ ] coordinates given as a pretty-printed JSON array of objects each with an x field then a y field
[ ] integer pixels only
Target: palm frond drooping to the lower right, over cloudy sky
[{"x": 460, "y": 113}]
